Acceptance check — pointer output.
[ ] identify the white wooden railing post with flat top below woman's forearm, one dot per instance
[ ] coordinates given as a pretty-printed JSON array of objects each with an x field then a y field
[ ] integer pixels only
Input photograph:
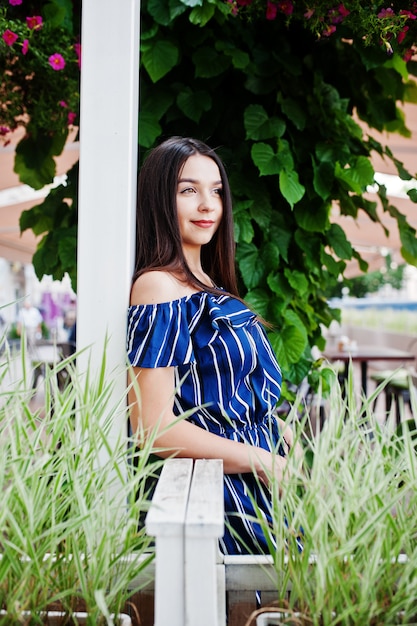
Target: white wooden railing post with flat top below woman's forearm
[{"x": 195, "y": 585}]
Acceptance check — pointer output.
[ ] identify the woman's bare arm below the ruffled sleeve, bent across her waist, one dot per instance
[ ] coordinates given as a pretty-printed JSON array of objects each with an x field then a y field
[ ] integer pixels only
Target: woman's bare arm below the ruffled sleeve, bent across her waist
[{"x": 152, "y": 411}]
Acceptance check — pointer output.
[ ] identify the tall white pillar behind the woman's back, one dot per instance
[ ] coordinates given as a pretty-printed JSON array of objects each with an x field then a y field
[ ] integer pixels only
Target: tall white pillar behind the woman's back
[{"x": 107, "y": 190}]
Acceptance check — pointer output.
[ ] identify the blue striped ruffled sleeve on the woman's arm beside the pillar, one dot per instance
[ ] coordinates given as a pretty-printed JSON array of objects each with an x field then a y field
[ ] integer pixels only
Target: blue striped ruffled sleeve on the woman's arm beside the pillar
[{"x": 158, "y": 335}]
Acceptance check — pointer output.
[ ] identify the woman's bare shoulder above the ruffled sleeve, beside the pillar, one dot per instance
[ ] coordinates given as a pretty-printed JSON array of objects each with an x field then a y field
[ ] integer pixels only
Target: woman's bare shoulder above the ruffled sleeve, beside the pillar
[{"x": 155, "y": 287}]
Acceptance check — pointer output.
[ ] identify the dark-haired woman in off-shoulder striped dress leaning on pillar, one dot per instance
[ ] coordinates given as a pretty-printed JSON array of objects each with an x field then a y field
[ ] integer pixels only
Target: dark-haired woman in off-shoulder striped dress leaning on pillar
[{"x": 194, "y": 345}]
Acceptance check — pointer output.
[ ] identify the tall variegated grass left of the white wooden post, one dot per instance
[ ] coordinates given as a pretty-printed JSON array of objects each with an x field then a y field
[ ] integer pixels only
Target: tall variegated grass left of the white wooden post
[{"x": 71, "y": 497}]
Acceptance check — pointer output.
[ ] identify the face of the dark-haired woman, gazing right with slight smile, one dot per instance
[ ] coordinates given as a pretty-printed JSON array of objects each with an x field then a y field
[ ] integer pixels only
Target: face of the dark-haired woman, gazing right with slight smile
[{"x": 199, "y": 201}]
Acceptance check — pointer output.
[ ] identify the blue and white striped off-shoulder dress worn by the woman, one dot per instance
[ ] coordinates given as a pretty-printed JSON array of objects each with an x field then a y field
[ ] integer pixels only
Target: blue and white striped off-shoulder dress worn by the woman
[{"x": 228, "y": 377}]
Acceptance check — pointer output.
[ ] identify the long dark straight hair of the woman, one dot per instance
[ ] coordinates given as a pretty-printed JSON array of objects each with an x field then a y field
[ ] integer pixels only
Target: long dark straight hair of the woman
[{"x": 158, "y": 243}]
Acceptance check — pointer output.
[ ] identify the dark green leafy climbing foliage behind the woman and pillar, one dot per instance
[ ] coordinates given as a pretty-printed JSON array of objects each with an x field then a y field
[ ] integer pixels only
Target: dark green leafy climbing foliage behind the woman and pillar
[{"x": 277, "y": 98}]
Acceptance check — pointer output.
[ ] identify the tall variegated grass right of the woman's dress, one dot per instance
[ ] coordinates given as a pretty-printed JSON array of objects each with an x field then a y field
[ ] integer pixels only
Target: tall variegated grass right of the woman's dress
[{"x": 354, "y": 505}]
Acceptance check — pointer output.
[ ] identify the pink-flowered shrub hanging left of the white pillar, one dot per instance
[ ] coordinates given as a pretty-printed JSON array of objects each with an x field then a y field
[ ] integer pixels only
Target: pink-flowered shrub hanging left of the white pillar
[{"x": 39, "y": 65}]
